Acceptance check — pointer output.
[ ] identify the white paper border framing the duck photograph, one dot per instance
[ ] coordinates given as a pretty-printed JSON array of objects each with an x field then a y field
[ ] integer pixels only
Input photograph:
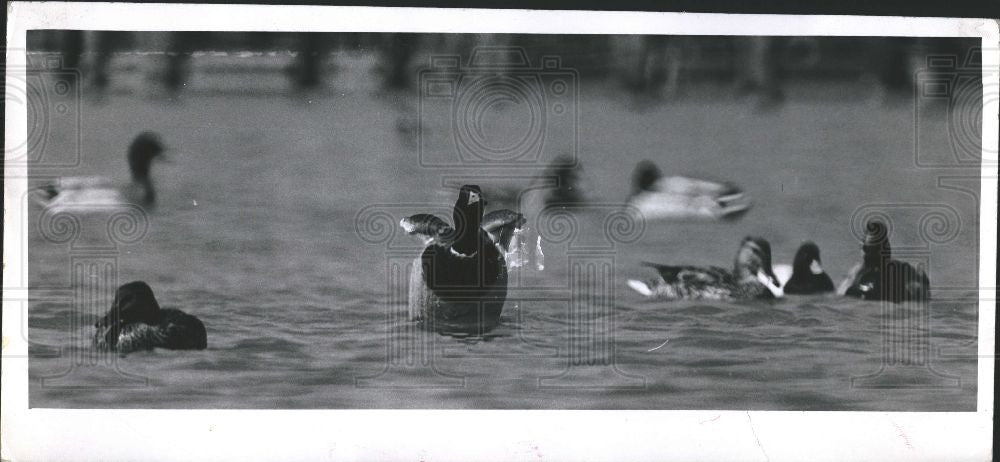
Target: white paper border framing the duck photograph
[{"x": 49, "y": 434}]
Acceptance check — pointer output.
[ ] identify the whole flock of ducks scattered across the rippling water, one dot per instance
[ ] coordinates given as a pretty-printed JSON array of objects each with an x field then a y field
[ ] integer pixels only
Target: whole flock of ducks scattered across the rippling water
[{"x": 459, "y": 282}]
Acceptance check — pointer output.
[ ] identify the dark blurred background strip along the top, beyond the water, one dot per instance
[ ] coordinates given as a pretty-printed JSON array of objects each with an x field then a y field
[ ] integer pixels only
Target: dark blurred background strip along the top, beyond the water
[{"x": 664, "y": 66}]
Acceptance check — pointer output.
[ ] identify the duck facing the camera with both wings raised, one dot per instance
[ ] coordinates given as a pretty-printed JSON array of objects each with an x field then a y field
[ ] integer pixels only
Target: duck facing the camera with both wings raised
[{"x": 459, "y": 283}]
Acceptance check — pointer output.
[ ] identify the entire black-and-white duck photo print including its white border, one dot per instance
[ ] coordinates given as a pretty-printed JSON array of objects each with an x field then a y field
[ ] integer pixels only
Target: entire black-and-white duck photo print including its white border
[{"x": 635, "y": 216}]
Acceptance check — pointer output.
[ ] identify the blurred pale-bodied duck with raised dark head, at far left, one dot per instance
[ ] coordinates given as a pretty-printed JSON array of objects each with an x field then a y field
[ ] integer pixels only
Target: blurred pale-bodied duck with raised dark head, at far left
[{"x": 81, "y": 193}]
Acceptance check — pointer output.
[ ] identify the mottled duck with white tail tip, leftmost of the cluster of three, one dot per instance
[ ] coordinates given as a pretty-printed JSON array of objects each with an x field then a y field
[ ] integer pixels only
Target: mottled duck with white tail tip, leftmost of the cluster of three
[{"x": 751, "y": 278}]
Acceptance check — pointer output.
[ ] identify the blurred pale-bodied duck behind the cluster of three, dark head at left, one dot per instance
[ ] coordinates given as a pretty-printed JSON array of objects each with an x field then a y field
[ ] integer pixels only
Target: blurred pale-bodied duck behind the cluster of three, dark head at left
[{"x": 677, "y": 197}]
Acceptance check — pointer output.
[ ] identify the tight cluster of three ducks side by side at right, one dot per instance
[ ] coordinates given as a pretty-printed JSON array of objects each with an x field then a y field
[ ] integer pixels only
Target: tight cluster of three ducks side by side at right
[{"x": 877, "y": 277}]
